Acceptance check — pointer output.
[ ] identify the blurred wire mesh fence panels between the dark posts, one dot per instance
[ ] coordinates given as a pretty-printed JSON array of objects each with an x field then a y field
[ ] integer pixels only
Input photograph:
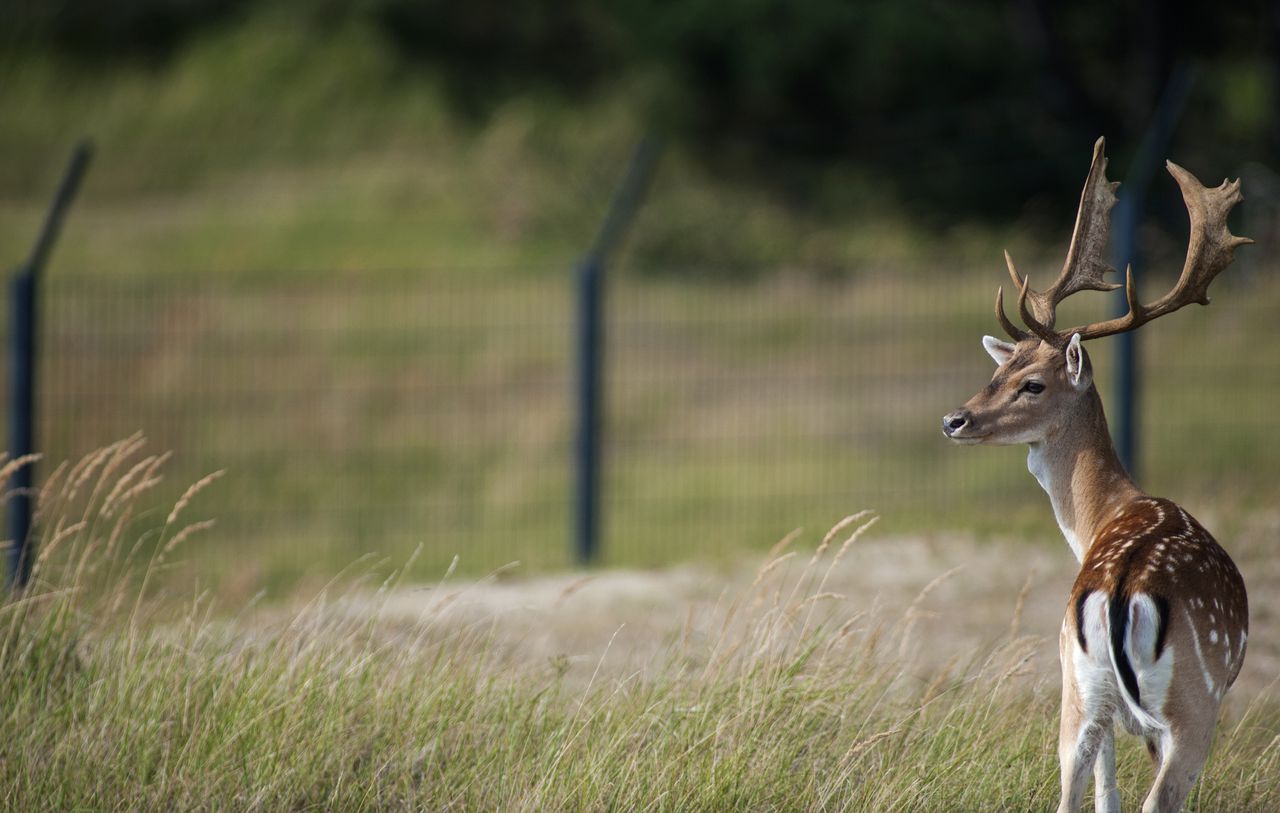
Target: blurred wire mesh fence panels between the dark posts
[{"x": 378, "y": 414}]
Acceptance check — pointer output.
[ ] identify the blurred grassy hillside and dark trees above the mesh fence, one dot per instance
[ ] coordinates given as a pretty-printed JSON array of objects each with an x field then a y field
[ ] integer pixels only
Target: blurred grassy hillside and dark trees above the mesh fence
[{"x": 491, "y": 134}]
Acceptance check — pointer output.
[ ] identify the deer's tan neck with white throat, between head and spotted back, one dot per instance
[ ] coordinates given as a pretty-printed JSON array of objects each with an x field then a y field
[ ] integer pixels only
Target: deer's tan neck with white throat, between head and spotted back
[{"x": 1078, "y": 468}]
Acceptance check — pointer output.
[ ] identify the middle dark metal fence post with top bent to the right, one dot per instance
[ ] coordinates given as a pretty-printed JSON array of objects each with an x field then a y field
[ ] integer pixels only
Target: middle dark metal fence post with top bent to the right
[{"x": 589, "y": 351}]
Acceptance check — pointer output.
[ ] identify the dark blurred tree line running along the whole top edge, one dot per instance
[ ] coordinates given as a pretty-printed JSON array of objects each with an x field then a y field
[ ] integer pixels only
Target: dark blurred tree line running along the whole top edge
[{"x": 947, "y": 108}]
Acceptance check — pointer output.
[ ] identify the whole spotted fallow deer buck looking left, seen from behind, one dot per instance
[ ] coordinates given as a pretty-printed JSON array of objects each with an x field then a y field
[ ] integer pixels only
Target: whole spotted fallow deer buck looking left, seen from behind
[{"x": 1158, "y": 620}]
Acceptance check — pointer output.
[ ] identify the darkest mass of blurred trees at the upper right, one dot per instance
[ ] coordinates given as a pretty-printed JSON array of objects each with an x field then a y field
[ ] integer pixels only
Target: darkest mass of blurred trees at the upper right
[{"x": 973, "y": 107}]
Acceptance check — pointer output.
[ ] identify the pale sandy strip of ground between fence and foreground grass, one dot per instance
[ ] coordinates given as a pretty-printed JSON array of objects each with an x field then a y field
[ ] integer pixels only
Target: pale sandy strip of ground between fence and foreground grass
[{"x": 621, "y": 620}]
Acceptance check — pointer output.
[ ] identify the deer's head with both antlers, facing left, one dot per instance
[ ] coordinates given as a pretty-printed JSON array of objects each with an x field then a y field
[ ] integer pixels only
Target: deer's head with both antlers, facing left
[{"x": 1045, "y": 374}]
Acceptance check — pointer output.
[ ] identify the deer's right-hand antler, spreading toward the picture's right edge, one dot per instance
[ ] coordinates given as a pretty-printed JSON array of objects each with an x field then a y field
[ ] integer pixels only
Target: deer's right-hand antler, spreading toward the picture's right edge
[{"x": 1210, "y": 250}]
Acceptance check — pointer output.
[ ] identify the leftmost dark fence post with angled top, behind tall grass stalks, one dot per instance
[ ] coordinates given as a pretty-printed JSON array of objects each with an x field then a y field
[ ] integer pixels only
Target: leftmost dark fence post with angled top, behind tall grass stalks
[{"x": 24, "y": 312}]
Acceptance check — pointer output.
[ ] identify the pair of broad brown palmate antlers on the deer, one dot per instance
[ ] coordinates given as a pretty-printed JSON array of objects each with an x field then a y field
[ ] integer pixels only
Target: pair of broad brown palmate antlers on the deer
[{"x": 1210, "y": 250}]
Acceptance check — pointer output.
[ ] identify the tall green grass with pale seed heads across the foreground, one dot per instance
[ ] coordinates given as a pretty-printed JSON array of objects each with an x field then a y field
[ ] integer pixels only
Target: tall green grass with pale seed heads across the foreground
[{"x": 121, "y": 696}]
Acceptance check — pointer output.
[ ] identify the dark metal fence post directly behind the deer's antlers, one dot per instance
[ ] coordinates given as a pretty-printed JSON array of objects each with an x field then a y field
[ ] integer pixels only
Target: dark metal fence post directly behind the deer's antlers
[{"x": 1130, "y": 213}]
